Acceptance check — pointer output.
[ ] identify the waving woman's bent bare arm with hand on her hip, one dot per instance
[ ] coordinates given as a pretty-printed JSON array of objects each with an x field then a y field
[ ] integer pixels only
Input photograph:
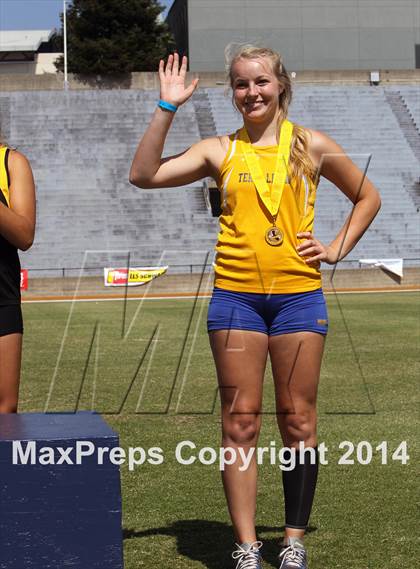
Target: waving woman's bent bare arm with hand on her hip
[{"x": 337, "y": 167}]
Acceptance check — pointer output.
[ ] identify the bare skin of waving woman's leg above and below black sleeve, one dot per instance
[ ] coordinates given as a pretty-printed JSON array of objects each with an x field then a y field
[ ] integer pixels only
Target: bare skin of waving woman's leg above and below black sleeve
[{"x": 296, "y": 363}]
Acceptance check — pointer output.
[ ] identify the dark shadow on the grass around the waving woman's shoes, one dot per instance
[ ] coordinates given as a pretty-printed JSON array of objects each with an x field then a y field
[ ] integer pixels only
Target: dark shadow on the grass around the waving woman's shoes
[{"x": 211, "y": 543}]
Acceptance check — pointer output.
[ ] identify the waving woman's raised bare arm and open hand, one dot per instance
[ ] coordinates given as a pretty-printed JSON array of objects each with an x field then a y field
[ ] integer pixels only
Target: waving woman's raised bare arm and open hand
[{"x": 148, "y": 169}]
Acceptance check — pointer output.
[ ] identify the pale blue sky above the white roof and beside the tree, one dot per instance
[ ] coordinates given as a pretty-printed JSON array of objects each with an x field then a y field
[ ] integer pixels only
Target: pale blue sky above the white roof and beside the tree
[{"x": 36, "y": 14}]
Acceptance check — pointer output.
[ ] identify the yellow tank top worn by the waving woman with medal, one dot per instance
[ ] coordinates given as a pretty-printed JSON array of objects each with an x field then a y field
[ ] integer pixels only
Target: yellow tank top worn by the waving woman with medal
[{"x": 245, "y": 262}]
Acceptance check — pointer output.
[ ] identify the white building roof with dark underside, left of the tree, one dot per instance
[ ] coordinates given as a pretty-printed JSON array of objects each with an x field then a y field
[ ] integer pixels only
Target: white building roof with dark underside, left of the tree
[{"x": 22, "y": 44}]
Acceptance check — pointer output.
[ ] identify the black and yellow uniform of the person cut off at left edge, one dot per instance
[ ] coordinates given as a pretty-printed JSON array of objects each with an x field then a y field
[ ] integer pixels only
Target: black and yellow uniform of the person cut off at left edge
[{"x": 10, "y": 312}]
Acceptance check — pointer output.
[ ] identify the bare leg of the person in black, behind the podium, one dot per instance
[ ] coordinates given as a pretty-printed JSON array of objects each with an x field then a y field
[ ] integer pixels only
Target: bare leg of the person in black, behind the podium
[{"x": 10, "y": 359}]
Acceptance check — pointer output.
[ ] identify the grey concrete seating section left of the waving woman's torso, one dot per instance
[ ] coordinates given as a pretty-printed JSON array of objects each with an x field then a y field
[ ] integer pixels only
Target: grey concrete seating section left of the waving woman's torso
[{"x": 80, "y": 145}]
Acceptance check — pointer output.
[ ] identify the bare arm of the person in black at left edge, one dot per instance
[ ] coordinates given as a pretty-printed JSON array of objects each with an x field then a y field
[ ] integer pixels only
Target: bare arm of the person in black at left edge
[{"x": 17, "y": 222}]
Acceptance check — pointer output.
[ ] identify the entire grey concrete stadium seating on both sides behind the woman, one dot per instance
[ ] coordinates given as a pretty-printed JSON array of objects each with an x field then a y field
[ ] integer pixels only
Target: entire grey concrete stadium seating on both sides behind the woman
[{"x": 81, "y": 143}]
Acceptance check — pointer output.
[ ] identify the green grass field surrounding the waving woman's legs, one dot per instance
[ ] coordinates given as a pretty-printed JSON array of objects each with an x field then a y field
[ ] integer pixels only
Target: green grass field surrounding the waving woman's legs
[{"x": 156, "y": 386}]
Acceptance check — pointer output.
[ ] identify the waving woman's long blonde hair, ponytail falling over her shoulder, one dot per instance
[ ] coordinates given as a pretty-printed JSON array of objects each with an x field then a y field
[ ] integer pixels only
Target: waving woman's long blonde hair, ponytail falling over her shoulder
[{"x": 300, "y": 163}]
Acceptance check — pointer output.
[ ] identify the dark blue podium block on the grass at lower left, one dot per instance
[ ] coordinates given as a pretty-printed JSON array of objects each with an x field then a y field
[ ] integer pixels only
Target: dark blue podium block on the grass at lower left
[{"x": 55, "y": 515}]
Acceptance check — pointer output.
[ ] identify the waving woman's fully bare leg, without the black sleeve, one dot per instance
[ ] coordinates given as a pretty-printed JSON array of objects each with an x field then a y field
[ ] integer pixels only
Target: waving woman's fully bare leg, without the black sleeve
[{"x": 240, "y": 358}]
